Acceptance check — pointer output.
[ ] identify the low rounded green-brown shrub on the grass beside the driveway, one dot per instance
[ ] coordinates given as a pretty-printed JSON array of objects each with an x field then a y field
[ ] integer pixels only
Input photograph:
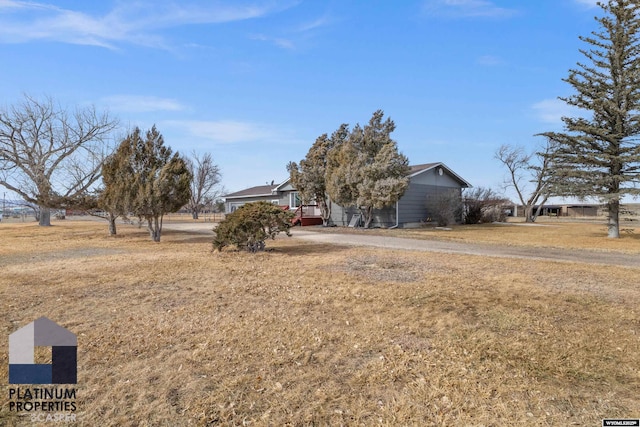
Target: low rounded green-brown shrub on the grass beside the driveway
[{"x": 250, "y": 225}]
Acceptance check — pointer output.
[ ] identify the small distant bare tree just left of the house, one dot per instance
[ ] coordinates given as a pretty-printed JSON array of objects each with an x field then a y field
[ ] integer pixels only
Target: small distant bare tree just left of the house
[{"x": 204, "y": 184}]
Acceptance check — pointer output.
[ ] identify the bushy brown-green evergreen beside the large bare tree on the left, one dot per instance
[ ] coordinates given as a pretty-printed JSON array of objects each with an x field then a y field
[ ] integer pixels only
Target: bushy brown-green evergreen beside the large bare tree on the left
[{"x": 154, "y": 179}]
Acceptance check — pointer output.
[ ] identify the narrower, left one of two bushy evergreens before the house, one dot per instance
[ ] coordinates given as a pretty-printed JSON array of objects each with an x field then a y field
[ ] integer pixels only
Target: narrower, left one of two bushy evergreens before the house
[{"x": 309, "y": 178}]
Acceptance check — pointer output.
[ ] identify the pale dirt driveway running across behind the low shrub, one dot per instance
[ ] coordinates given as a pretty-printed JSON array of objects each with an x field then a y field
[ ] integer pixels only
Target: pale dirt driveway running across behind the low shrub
[{"x": 547, "y": 254}]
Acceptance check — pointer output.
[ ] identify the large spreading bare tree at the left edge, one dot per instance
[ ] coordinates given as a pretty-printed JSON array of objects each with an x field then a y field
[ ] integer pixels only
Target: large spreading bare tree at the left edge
[{"x": 51, "y": 157}]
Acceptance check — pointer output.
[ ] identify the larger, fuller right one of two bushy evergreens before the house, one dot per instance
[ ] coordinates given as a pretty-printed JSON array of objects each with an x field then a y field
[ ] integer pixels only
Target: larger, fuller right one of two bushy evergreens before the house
[{"x": 365, "y": 168}]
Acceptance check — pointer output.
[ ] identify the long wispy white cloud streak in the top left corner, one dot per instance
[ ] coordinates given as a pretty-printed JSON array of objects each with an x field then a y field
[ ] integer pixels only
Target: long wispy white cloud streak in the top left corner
[{"x": 129, "y": 22}]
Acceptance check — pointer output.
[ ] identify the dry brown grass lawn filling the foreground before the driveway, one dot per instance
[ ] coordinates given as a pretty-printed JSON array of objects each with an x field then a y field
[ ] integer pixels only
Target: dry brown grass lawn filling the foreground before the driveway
[{"x": 172, "y": 334}]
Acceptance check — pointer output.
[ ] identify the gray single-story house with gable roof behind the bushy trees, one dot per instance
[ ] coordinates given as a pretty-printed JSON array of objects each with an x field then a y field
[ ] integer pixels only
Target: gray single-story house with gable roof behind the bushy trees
[{"x": 427, "y": 183}]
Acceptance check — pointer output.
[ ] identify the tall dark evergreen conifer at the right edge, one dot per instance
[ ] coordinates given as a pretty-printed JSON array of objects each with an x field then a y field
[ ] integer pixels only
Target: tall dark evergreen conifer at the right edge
[{"x": 598, "y": 155}]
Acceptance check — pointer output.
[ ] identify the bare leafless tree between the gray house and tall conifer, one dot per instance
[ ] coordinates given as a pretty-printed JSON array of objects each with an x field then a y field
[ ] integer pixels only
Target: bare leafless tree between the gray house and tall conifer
[{"x": 530, "y": 175}]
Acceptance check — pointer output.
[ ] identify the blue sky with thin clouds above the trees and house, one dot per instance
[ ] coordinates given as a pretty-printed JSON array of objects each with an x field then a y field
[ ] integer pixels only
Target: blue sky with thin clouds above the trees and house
[{"x": 255, "y": 82}]
